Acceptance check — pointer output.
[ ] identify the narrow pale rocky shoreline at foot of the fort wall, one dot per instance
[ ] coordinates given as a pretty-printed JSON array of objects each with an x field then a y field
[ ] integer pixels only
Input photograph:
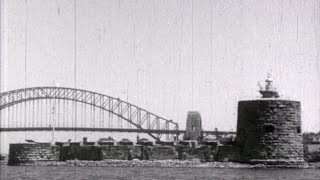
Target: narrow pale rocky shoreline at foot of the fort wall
[{"x": 160, "y": 164}]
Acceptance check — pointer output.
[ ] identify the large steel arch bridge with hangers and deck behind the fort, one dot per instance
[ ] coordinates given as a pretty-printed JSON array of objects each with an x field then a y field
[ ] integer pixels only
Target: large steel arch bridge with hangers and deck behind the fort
[{"x": 70, "y": 109}]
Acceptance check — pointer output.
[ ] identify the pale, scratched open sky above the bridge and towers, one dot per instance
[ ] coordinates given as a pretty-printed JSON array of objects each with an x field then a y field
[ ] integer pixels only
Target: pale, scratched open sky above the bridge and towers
[{"x": 168, "y": 57}]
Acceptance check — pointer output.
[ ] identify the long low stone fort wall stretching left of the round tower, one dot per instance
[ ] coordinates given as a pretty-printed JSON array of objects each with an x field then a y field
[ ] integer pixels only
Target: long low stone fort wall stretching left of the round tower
[{"x": 34, "y": 152}]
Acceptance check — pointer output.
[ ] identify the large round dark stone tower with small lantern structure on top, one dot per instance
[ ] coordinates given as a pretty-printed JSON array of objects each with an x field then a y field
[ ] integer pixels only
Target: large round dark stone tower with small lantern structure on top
[{"x": 269, "y": 131}]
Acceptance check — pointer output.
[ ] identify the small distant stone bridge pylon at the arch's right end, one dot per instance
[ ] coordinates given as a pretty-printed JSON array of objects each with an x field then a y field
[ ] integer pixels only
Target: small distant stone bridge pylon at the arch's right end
[{"x": 194, "y": 126}]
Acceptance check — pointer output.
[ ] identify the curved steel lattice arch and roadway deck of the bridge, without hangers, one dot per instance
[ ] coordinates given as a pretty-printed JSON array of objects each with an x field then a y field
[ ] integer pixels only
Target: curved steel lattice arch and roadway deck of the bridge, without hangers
[{"x": 142, "y": 120}]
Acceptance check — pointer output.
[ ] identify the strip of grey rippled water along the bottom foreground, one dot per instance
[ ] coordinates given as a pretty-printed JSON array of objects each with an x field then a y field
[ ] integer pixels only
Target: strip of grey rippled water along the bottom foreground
[{"x": 60, "y": 172}]
